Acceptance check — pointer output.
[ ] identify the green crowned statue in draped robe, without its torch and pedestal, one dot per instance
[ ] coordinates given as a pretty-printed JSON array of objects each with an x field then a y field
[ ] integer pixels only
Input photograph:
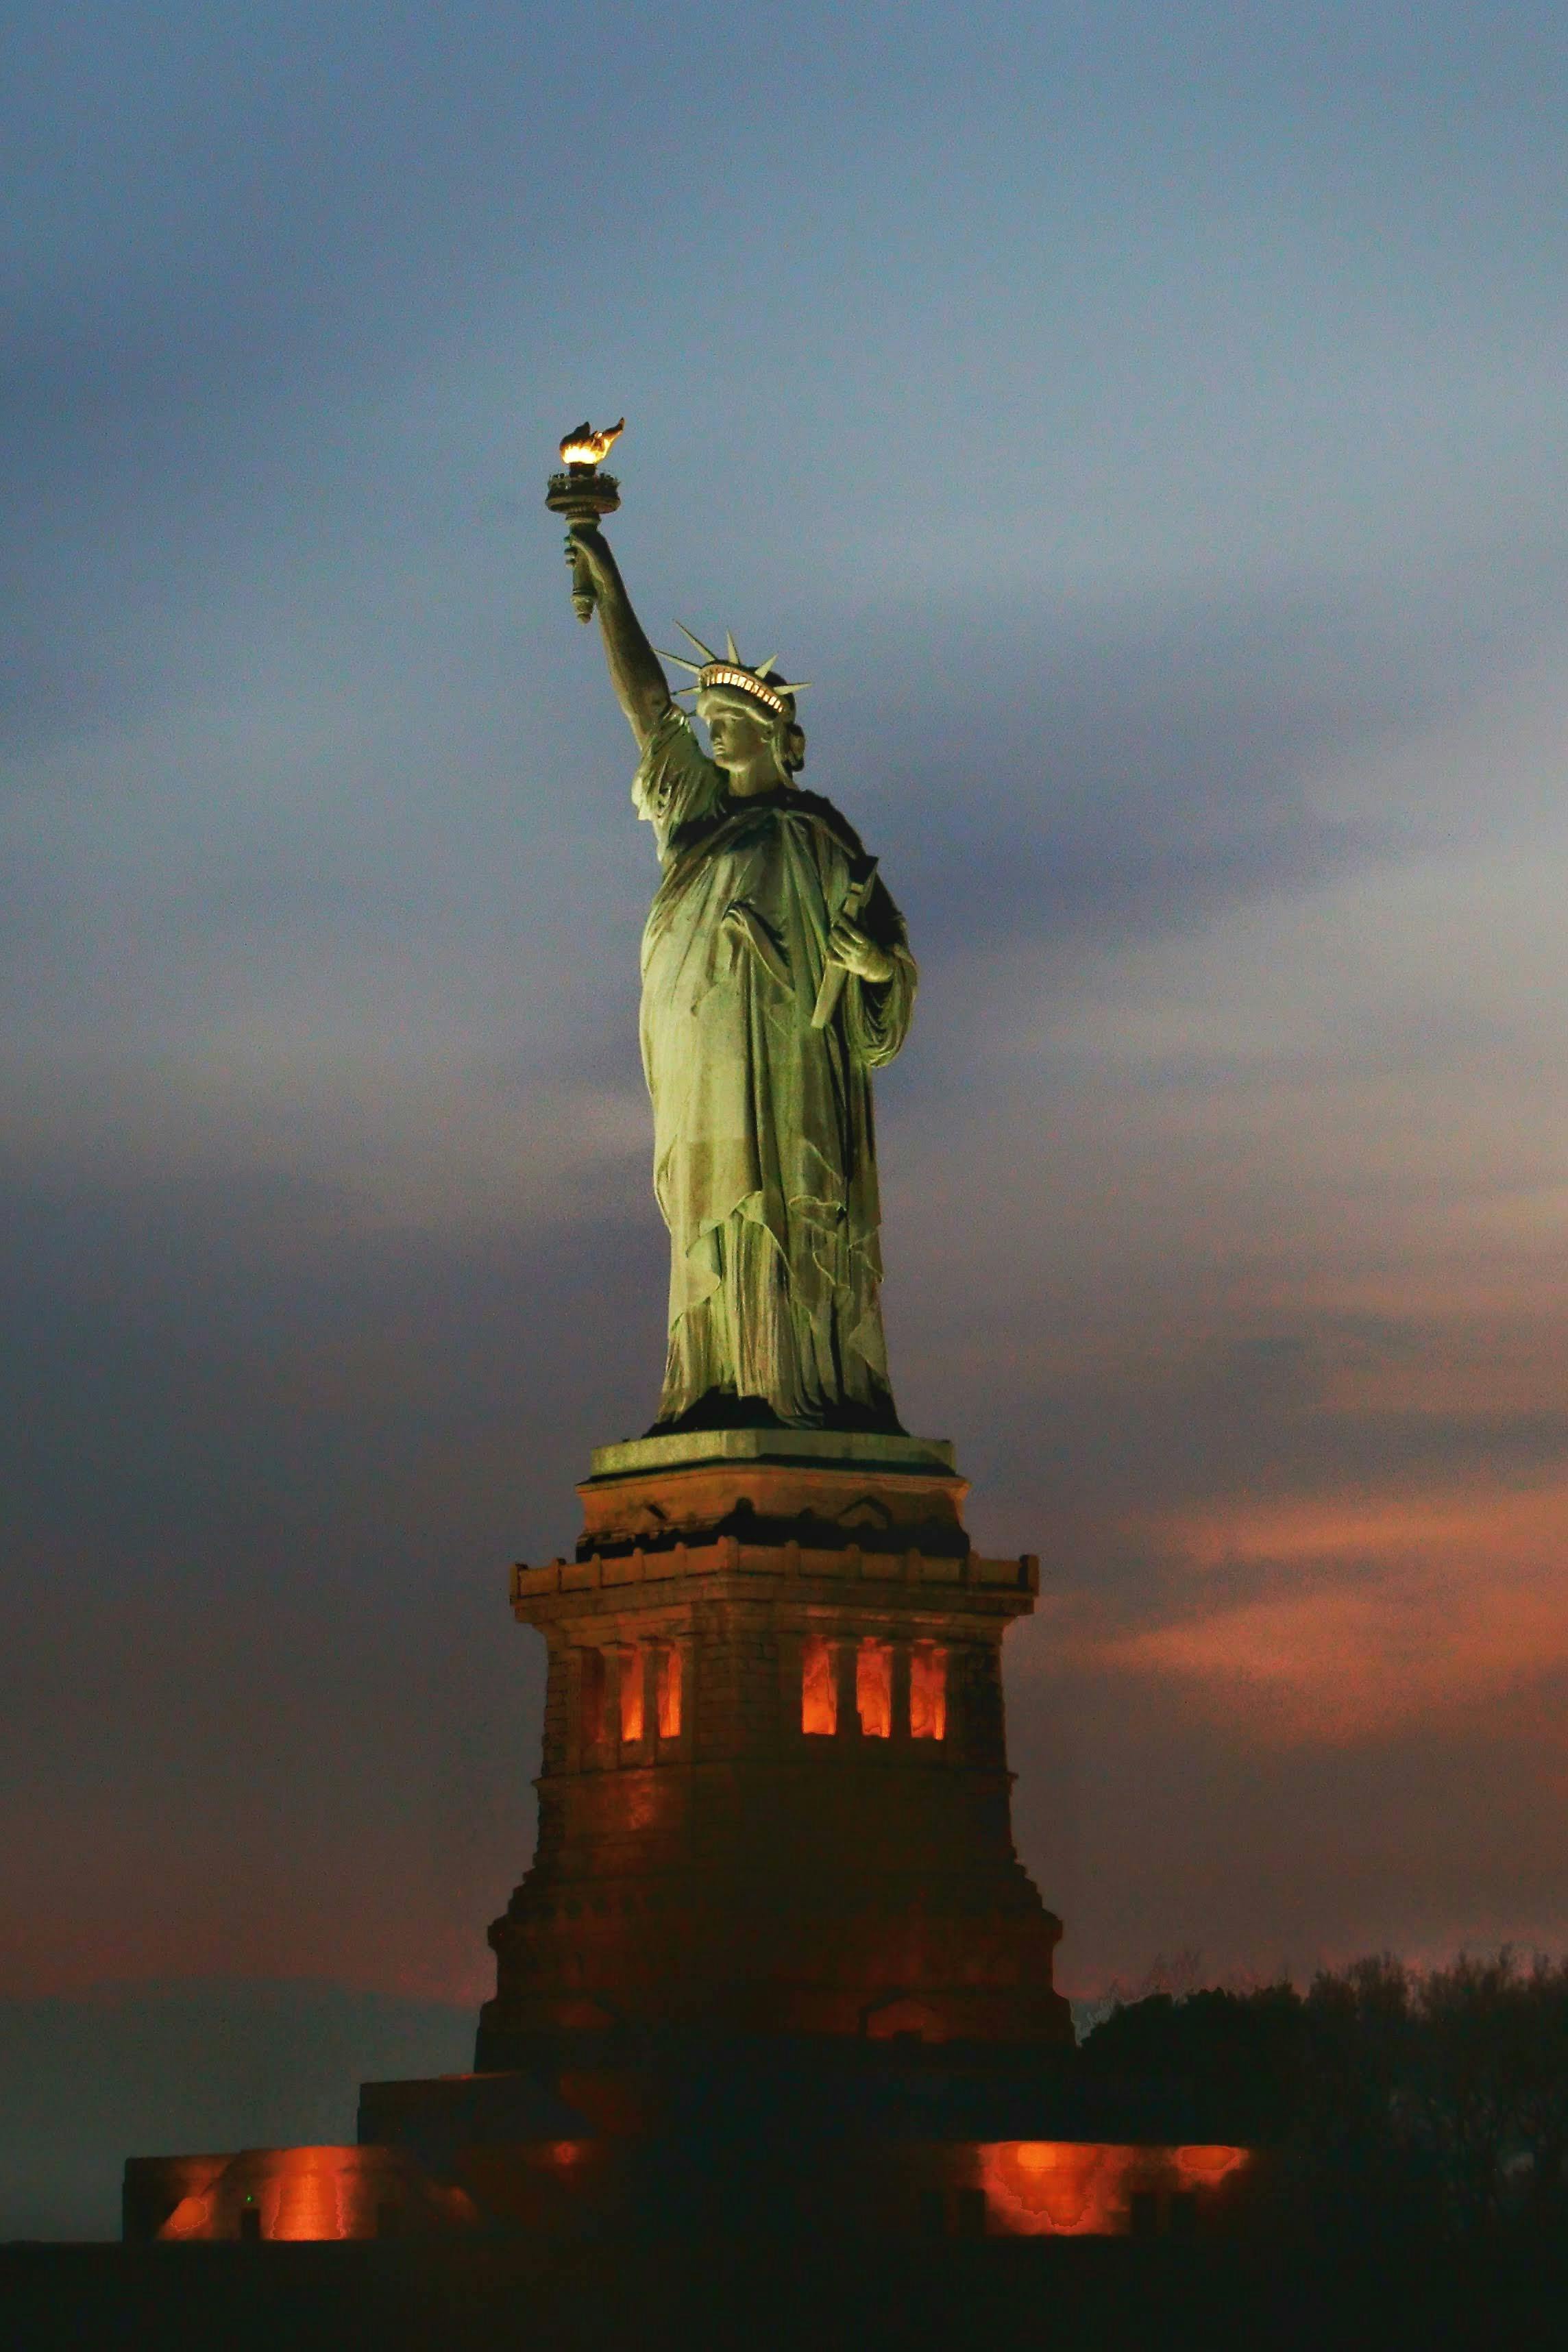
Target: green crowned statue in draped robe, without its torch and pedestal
[{"x": 775, "y": 980}]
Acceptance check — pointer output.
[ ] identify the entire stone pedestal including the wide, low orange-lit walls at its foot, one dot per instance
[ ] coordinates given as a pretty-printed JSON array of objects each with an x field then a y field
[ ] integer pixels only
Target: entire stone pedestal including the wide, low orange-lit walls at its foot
[{"x": 777, "y": 1965}]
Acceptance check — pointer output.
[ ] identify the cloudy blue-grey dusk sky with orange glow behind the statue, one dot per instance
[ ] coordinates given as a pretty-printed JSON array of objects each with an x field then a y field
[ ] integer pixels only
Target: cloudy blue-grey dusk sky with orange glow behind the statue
[{"x": 1146, "y": 427}]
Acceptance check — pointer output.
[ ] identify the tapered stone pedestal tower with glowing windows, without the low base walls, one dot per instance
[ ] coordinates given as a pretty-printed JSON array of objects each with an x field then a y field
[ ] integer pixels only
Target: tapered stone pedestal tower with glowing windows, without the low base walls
[{"x": 775, "y": 1789}]
